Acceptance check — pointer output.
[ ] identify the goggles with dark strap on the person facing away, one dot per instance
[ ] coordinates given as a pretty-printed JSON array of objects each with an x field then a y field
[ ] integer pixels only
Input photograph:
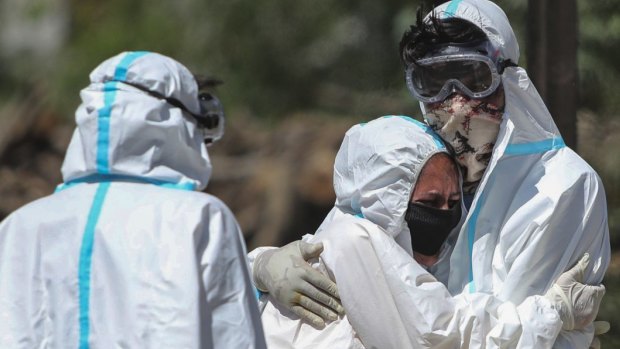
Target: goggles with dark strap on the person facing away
[{"x": 211, "y": 118}]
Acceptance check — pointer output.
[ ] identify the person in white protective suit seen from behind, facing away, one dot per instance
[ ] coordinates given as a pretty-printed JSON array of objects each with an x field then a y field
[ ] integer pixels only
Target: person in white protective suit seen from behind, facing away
[{"x": 127, "y": 253}]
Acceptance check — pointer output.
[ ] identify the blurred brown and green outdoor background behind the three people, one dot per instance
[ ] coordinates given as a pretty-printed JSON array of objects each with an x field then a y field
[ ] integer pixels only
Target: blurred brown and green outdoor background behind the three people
[{"x": 297, "y": 75}]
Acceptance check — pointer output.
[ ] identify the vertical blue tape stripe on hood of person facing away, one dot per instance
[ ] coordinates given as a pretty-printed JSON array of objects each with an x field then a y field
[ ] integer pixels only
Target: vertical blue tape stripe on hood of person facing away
[{"x": 104, "y": 114}]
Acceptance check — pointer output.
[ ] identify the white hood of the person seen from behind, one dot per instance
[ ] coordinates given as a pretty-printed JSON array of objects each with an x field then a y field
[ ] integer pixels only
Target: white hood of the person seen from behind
[{"x": 125, "y": 132}]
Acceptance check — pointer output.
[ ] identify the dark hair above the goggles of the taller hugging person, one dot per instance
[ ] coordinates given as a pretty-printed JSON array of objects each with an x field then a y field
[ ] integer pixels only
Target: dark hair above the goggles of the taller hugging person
[{"x": 423, "y": 36}]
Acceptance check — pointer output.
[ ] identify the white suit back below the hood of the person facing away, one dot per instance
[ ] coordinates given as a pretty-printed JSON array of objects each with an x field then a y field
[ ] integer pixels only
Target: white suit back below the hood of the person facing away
[{"x": 147, "y": 253}]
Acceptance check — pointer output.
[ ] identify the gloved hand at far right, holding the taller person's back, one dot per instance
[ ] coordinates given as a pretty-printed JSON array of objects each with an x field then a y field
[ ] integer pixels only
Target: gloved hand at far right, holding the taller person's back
[{"x": 576, "y": 302}]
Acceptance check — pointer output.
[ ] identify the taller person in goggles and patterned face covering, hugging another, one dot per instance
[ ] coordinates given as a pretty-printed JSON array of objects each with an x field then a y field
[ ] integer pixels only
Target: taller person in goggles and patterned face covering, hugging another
[{"x": 533, "y": 210}]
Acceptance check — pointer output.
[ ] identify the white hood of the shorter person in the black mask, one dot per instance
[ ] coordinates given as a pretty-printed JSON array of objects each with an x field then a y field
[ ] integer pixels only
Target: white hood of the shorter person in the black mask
[{"x": 377, "y": 167}]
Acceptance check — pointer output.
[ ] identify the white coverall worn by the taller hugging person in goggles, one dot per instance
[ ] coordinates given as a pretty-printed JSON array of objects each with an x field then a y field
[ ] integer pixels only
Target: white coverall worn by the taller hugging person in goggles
[{"x": 539, "y": 206}]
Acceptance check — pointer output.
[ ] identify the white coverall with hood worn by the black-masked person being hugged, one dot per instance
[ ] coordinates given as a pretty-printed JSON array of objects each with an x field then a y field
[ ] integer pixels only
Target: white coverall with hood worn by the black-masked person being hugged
[{"x": 390, "y": 301}]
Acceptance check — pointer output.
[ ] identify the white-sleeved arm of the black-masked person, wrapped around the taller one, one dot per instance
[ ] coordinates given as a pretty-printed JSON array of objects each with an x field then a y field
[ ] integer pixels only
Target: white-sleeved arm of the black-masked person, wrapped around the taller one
[{"x": 392, "y": 302}]
